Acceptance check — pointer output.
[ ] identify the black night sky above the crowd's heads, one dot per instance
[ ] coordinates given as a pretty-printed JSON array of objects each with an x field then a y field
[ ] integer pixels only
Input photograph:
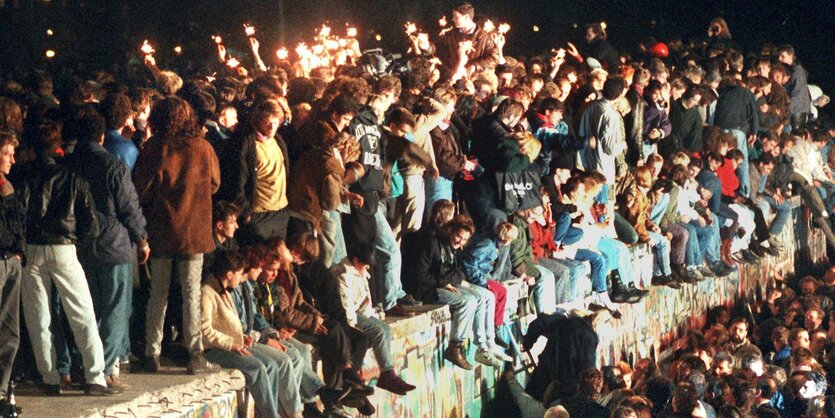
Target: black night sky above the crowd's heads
[{"x": 101, "y": 26}]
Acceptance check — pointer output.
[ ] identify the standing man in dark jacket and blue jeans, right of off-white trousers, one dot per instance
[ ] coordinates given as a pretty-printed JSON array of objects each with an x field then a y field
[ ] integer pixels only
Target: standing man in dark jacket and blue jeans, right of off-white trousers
[{"x": 108, "y": 259}]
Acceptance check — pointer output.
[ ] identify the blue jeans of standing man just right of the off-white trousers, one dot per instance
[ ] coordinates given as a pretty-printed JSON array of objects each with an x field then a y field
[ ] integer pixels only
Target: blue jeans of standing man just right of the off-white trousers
[{"x": 111, "y": 286}]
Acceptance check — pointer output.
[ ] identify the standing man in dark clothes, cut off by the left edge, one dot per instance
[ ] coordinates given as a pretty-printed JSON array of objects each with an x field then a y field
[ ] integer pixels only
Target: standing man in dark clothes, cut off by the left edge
[{"x": 11, "y": 255}]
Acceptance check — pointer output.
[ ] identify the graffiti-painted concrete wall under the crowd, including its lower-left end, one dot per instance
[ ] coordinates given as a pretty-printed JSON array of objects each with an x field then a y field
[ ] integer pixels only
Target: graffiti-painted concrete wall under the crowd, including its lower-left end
[{"x": 448, "y": 391}]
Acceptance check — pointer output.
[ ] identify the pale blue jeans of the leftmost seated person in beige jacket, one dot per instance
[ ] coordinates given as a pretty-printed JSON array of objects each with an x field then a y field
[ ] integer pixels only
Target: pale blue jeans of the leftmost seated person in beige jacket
[{"x": 270, "y": 376}]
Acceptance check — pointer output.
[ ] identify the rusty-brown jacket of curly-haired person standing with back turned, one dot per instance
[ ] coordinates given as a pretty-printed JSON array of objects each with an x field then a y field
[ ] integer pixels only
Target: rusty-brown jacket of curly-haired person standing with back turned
[{"x": 175, "y": 181}]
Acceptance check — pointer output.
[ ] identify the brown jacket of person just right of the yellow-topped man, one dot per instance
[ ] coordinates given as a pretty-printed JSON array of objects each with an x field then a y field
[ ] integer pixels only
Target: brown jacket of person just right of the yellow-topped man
[{"x": 317, "y": 185}]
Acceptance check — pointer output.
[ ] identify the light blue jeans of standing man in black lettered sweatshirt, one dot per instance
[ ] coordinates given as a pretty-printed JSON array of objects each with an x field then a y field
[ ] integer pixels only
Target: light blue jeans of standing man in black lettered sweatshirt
[{"x": 388, "y": 255}]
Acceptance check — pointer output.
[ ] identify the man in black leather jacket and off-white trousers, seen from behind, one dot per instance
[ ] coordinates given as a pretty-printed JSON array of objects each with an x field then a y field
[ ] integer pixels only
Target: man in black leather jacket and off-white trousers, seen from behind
[{"x": 60, "y": 213}]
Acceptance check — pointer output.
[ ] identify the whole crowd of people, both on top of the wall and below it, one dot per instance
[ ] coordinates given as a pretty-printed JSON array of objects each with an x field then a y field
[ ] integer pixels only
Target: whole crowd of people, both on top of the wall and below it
[{"x": 298, "y": 206}]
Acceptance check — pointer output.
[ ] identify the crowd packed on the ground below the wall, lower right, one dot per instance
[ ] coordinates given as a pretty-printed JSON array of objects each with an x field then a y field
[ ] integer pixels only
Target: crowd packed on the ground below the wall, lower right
[{"x": 764, "y": 359}]
